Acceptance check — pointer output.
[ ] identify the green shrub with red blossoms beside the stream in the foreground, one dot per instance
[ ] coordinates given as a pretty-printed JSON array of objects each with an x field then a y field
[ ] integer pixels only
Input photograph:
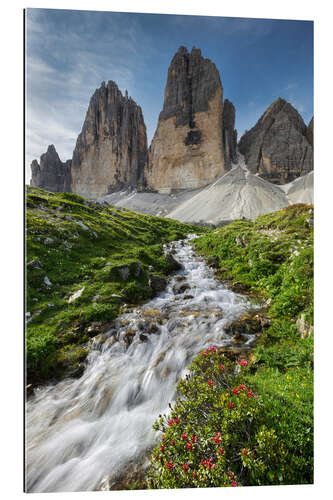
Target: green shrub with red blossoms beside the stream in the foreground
[{"x": 217, "y": 433}]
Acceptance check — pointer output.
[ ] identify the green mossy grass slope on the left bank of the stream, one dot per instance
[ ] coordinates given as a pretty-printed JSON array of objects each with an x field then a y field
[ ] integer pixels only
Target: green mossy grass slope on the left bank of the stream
[{"x": 81, "y": 244}]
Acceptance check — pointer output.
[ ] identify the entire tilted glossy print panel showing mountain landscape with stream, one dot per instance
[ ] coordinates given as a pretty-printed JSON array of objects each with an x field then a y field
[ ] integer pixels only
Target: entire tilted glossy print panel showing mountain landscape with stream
[{"x": 169, "y": 211}]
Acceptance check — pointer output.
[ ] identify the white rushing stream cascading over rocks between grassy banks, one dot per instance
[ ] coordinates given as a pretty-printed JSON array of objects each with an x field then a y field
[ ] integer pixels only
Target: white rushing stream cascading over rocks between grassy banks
[{"x": 80, "y": 432}]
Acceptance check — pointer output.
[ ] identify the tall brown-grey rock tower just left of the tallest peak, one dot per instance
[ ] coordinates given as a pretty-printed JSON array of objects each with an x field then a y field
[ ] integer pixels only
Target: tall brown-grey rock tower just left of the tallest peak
[{"x": 111, "y": 150}]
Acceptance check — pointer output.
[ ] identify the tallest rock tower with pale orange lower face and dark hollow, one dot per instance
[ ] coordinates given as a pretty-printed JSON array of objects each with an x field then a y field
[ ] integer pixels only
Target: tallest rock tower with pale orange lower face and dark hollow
[{"x": 187, "y": 150}]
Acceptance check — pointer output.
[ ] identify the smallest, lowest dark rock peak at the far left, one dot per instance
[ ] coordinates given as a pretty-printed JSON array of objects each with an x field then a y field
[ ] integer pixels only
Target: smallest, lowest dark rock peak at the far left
[{"x": 51, "y": 173}]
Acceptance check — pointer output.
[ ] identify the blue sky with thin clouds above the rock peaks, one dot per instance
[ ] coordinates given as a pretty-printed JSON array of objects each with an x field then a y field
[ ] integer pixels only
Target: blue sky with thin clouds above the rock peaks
[{"x": 69, "y": 54}]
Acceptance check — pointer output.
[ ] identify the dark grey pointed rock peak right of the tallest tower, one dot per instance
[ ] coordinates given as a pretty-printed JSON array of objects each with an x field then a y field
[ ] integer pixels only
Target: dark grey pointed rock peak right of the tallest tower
[{"x": 277, "y": 147}]
